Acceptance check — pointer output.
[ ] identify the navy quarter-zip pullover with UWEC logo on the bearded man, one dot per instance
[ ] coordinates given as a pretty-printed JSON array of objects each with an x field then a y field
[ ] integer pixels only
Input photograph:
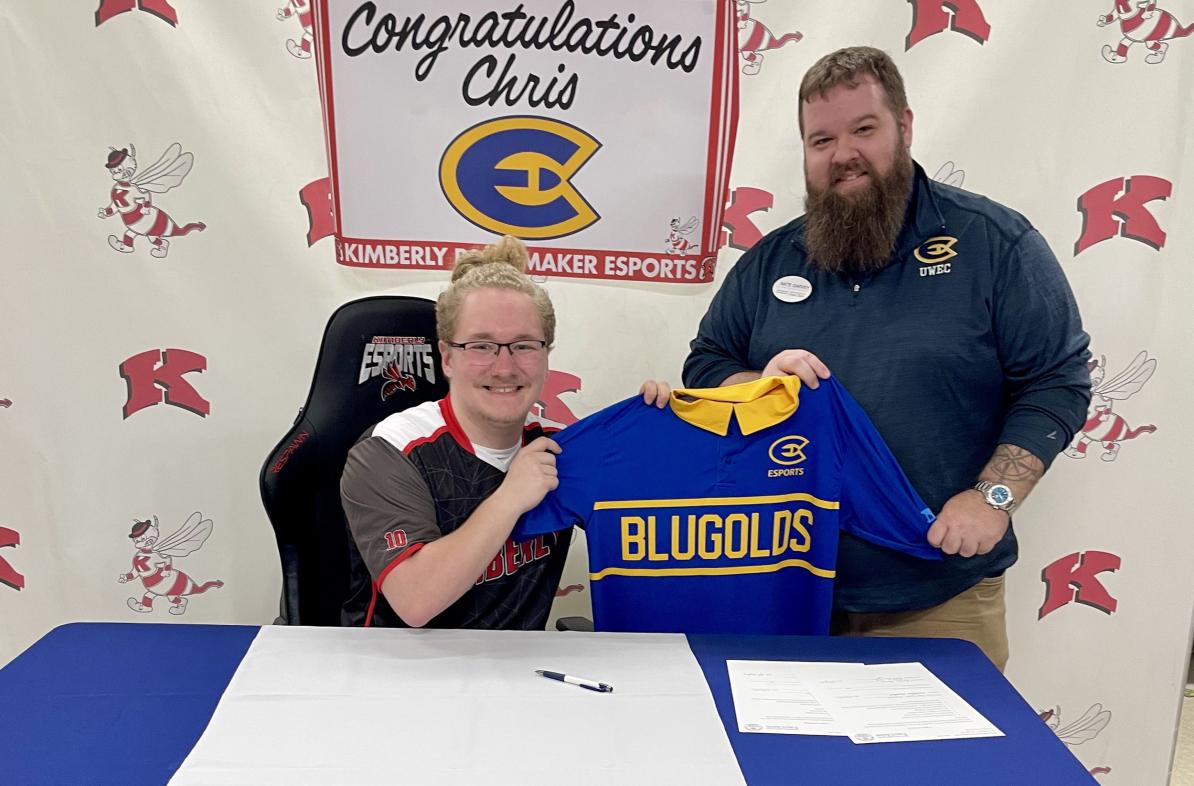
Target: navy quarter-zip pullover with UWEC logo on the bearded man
[{"x": 968, "y": 339}]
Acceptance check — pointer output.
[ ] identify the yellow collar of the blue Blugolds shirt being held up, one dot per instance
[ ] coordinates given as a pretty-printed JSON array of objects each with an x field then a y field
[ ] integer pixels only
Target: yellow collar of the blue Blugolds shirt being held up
[{"x": 759, "y": 404}]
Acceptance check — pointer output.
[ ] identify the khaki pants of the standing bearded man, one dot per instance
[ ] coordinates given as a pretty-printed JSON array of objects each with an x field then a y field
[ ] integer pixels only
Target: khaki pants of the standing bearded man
[{"x": 976, "y": 616}]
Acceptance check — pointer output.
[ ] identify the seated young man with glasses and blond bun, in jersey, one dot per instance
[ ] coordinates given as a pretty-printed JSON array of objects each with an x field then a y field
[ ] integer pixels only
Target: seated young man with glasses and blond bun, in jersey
[{"x": 433, "y": 493}]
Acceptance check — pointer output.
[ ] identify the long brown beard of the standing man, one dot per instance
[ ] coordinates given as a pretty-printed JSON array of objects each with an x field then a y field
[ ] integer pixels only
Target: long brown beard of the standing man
[{"x": 857, "y": 234}]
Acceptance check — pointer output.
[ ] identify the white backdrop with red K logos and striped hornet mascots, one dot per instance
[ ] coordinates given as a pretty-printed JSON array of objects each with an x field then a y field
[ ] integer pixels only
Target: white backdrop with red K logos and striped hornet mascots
[{"x": 1017, "y": 101}]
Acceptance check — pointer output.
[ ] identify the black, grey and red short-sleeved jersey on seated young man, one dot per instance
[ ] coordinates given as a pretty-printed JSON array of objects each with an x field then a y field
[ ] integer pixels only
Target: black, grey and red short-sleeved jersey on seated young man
[{"x": 416, "y": 477}]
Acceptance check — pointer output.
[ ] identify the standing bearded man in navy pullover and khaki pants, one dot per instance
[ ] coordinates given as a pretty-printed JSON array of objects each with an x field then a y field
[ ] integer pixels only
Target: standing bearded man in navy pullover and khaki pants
[{"x": 950, "y": 321}]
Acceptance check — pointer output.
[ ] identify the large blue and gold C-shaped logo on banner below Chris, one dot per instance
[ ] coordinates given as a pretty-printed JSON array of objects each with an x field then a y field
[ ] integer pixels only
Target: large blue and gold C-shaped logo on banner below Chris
[{"x": 514, "y": 176}]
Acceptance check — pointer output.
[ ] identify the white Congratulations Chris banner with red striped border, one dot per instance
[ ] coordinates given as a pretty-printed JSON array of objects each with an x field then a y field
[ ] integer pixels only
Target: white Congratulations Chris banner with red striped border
[{"x": 600, "y": 132}]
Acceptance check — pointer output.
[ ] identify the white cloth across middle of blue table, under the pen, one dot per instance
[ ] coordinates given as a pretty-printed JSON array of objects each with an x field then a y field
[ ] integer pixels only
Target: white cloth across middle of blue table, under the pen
[{"x": 384, "y": 707}]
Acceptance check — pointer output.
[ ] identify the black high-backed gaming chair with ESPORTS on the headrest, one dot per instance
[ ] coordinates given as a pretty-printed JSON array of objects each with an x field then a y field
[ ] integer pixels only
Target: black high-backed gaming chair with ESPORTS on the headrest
[{"x": 378, "y": 357}]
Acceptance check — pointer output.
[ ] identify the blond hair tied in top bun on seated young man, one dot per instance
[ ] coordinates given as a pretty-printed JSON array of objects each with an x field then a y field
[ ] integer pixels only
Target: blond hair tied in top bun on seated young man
[{"x": 501, "y": 266}]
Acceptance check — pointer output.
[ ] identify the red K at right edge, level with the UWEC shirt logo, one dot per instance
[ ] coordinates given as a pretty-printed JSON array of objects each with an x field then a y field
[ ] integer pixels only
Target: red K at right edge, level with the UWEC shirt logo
[{"x": 1118, "y": 208}]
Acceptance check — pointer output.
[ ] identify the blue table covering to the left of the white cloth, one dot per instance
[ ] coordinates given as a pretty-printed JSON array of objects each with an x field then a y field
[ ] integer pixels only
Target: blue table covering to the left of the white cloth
[{"x": 126, "y": 702}]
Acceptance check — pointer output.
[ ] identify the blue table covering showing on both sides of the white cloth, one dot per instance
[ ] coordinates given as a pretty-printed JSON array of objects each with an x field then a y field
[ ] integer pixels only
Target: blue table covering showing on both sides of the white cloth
[{"x": 127, "y": 703}]
